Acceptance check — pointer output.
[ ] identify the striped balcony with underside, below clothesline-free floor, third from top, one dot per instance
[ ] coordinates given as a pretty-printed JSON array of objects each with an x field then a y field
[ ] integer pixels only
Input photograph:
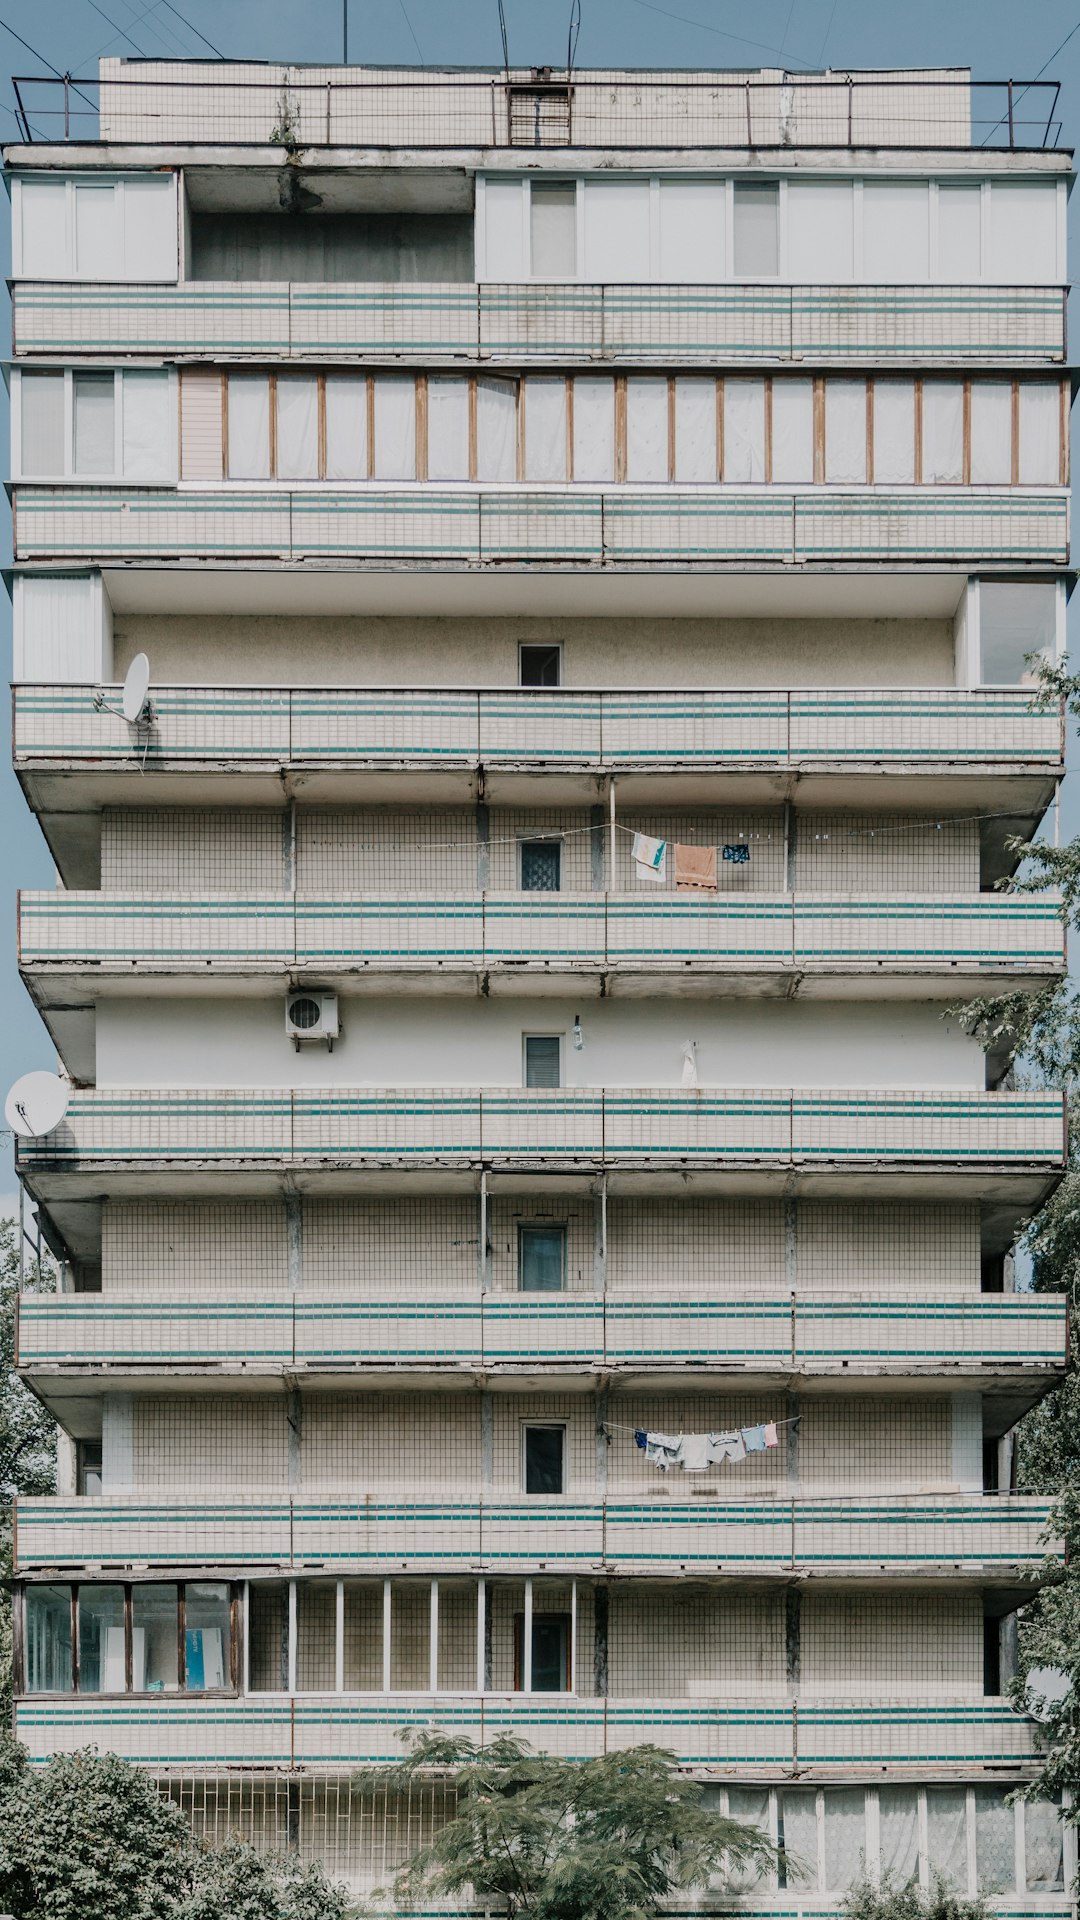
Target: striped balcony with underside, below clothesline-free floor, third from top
[{"x": 837, "y": 746}]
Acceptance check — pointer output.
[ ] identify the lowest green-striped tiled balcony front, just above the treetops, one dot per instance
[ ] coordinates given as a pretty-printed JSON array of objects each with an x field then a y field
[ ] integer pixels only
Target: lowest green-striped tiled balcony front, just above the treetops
[{"x": 326, "y": 1733}]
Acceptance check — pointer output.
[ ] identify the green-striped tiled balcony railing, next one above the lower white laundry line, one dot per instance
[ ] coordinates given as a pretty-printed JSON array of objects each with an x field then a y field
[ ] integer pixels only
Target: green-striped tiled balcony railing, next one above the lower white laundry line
[{"x": 856, "y": 1333}]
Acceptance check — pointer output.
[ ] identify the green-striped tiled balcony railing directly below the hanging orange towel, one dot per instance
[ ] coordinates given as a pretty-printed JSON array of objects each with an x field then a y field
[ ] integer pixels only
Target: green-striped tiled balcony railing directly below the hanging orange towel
[{"x": 105, "y": 934}]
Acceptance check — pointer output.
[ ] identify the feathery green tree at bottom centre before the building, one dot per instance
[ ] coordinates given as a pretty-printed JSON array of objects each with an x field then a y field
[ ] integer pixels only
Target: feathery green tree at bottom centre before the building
[{"x": 564, "y": 1840}]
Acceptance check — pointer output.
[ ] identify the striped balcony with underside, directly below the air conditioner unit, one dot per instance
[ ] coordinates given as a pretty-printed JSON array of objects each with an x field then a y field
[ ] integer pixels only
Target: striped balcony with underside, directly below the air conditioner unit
[{"x": 647, "y": 1140}]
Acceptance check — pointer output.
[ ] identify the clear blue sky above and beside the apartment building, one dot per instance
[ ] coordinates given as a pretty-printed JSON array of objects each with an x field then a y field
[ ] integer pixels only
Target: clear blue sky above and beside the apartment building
[{"x": 994, "y": 37}]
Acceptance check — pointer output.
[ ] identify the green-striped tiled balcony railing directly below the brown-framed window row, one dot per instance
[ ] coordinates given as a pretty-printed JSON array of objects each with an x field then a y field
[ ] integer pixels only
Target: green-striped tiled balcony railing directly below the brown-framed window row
[{"x": 585, "y": 527}]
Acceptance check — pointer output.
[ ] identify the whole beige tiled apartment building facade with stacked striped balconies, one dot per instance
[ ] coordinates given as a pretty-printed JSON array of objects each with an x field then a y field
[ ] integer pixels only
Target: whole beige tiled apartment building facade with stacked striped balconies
[{"x": 589, "y": 539}]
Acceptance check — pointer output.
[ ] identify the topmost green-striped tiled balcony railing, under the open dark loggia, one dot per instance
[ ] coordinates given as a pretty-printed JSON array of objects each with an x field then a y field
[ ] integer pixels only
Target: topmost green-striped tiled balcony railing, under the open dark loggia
[{"x": 583, "y": 324}]
